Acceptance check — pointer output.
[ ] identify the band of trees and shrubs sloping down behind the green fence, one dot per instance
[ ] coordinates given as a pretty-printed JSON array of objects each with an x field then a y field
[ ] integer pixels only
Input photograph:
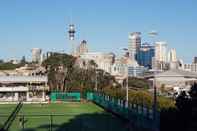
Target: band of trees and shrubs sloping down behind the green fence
[{"x": 65, "y": 75}]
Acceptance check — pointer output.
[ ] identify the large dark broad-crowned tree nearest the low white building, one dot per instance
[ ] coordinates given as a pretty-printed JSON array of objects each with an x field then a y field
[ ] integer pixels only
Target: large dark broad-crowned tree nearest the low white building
[{"x": 59, "y": 67}]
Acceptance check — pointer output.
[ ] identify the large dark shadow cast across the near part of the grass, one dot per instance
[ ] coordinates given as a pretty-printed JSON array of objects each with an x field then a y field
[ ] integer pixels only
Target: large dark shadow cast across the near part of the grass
[{"x": 87, "y": 122}]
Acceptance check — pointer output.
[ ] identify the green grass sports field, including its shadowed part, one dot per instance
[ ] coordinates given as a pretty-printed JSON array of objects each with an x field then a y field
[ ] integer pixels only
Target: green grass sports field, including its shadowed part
[{"x": 64, "y": 117}]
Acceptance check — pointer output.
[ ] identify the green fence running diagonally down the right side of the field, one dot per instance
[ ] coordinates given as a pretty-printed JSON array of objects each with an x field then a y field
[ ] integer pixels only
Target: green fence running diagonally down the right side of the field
[{"x": 139, "y": 115}]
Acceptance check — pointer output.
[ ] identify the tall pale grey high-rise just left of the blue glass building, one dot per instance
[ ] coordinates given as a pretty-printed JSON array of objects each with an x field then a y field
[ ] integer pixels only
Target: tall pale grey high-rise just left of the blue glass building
[{"x": 134, "y": 44}]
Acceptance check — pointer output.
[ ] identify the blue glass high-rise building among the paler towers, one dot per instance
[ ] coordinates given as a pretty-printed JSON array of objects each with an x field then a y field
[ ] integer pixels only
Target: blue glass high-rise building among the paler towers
[{"x": 145, "y": 55}]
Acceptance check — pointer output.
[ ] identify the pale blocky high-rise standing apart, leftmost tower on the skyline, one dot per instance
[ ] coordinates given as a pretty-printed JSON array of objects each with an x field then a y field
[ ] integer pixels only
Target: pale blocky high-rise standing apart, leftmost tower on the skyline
[{"x": 36, "y": 55}]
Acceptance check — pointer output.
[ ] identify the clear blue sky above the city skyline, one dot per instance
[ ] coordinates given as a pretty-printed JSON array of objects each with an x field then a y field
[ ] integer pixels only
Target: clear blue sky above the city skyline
[{"x": 105, "y": 24}]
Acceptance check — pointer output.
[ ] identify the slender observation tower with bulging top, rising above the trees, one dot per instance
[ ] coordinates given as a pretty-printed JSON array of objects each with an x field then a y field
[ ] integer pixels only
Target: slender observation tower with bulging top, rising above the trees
[{"x": 71, "y": 33}]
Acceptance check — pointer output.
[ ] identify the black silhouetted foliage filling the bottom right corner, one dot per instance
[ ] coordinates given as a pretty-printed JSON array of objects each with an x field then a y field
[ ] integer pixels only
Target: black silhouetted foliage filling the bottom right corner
[{"x": 184, "y": 116}]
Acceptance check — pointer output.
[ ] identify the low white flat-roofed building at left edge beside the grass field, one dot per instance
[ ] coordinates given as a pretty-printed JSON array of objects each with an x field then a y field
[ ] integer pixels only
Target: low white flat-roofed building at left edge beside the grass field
[{"x": 23, "y": 88}]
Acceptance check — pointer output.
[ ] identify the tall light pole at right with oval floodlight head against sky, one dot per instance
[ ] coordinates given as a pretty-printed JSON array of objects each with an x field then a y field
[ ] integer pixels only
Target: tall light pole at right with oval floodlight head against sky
[{"x": 153, "y": 34}]
